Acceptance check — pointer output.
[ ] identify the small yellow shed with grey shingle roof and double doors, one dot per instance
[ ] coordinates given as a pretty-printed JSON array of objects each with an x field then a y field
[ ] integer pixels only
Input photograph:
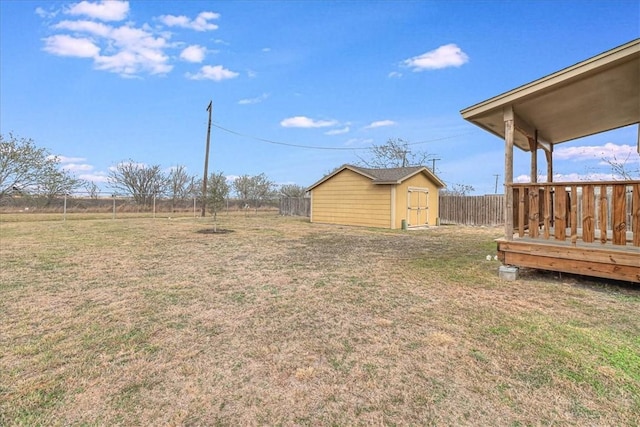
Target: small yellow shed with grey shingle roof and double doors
[{"x": 382, "y": 198}]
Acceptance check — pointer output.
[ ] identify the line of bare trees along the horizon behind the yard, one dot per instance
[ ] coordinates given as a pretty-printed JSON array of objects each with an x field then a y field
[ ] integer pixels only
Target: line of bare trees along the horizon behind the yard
[{"x": 30, "y": 171}]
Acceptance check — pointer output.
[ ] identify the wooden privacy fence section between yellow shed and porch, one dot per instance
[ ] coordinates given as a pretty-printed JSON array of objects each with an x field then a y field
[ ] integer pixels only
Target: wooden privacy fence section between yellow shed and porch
[{"x": 472, "y": 210}]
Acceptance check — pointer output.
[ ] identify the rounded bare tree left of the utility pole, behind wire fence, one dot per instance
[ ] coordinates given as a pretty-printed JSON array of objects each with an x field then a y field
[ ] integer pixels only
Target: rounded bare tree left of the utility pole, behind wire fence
[{"x": 138, "y": 180}]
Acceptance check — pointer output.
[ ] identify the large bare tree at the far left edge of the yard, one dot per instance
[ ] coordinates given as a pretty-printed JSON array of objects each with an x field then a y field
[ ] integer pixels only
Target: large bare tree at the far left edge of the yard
[{"x": 25, "y": 168}]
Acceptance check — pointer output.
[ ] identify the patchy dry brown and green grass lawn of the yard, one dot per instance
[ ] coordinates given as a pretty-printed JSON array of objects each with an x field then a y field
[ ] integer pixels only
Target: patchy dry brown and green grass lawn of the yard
[{"x": 276, "y": 321}]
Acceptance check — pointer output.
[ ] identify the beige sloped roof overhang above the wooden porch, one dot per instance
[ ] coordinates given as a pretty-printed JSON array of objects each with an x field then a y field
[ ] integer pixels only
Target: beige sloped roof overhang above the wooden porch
[{"x": 596, "y": 95}]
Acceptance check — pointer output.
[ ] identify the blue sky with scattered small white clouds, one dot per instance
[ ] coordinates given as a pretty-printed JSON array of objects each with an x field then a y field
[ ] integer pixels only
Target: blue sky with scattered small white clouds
[{"x": 98, "y": 83}]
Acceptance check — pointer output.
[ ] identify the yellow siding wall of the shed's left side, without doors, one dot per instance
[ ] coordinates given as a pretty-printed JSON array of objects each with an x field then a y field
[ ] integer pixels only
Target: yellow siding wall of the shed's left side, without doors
[{"x": 351, "y": 199}]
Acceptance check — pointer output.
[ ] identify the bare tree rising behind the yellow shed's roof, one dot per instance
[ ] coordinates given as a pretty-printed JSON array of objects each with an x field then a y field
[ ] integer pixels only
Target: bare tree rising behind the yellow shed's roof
[{"x": 394, "y": 153}]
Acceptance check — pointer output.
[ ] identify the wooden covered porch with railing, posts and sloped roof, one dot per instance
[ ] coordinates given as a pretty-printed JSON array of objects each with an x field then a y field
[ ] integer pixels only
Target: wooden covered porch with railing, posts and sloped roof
[{"x": 589, "y": 228}]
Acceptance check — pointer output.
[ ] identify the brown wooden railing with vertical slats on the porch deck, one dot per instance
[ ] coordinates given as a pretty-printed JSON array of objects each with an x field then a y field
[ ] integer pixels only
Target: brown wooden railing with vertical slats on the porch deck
[{"x": 608, "y": 212}]
